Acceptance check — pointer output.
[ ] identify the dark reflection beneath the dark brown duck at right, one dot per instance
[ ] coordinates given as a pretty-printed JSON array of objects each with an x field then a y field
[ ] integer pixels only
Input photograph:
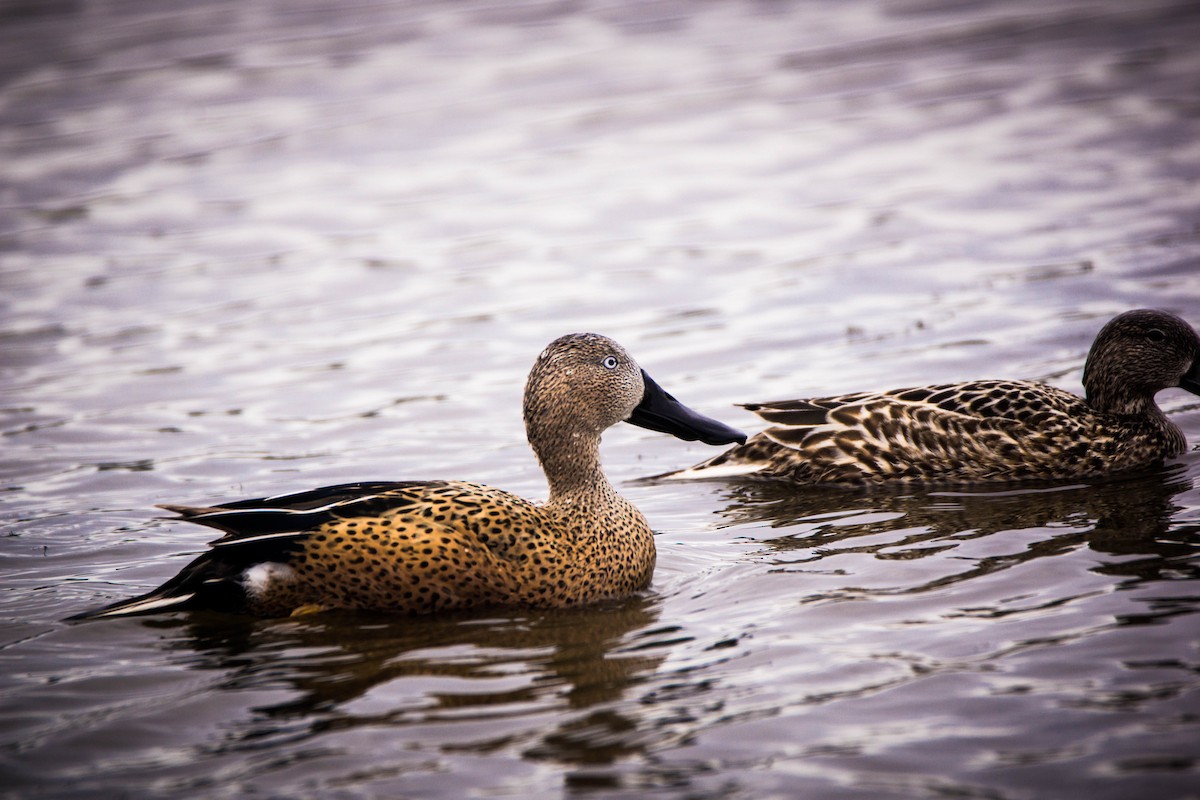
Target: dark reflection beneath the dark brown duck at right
[{"x": 1125, "y": 518}]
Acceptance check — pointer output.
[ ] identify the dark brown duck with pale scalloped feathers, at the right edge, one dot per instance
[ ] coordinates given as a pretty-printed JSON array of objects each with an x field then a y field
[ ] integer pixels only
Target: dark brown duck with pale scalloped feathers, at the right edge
[{"x": 985, "y": 431}]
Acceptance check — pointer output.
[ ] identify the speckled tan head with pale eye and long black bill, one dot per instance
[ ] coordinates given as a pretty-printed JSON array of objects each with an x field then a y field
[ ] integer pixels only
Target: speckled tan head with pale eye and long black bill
[{"x": 589, "y": 383}]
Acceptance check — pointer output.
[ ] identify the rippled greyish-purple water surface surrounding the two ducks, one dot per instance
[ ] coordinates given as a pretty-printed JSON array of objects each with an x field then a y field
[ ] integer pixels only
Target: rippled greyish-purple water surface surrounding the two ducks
[{"x": 255, "y": 248}]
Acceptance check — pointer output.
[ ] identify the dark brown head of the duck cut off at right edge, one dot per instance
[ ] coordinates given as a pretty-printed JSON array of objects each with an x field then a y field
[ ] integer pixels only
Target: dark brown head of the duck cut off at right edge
[{"x": 1138, "y": 354}]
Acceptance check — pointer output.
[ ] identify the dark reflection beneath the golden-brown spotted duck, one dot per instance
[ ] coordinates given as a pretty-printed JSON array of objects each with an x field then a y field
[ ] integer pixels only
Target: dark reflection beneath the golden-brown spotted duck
[{"x": 344, "y": 672}]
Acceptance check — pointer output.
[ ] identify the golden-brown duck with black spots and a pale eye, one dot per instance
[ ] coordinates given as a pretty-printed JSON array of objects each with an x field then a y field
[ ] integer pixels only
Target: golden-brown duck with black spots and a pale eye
[{"x": 421, "y": 548}]
